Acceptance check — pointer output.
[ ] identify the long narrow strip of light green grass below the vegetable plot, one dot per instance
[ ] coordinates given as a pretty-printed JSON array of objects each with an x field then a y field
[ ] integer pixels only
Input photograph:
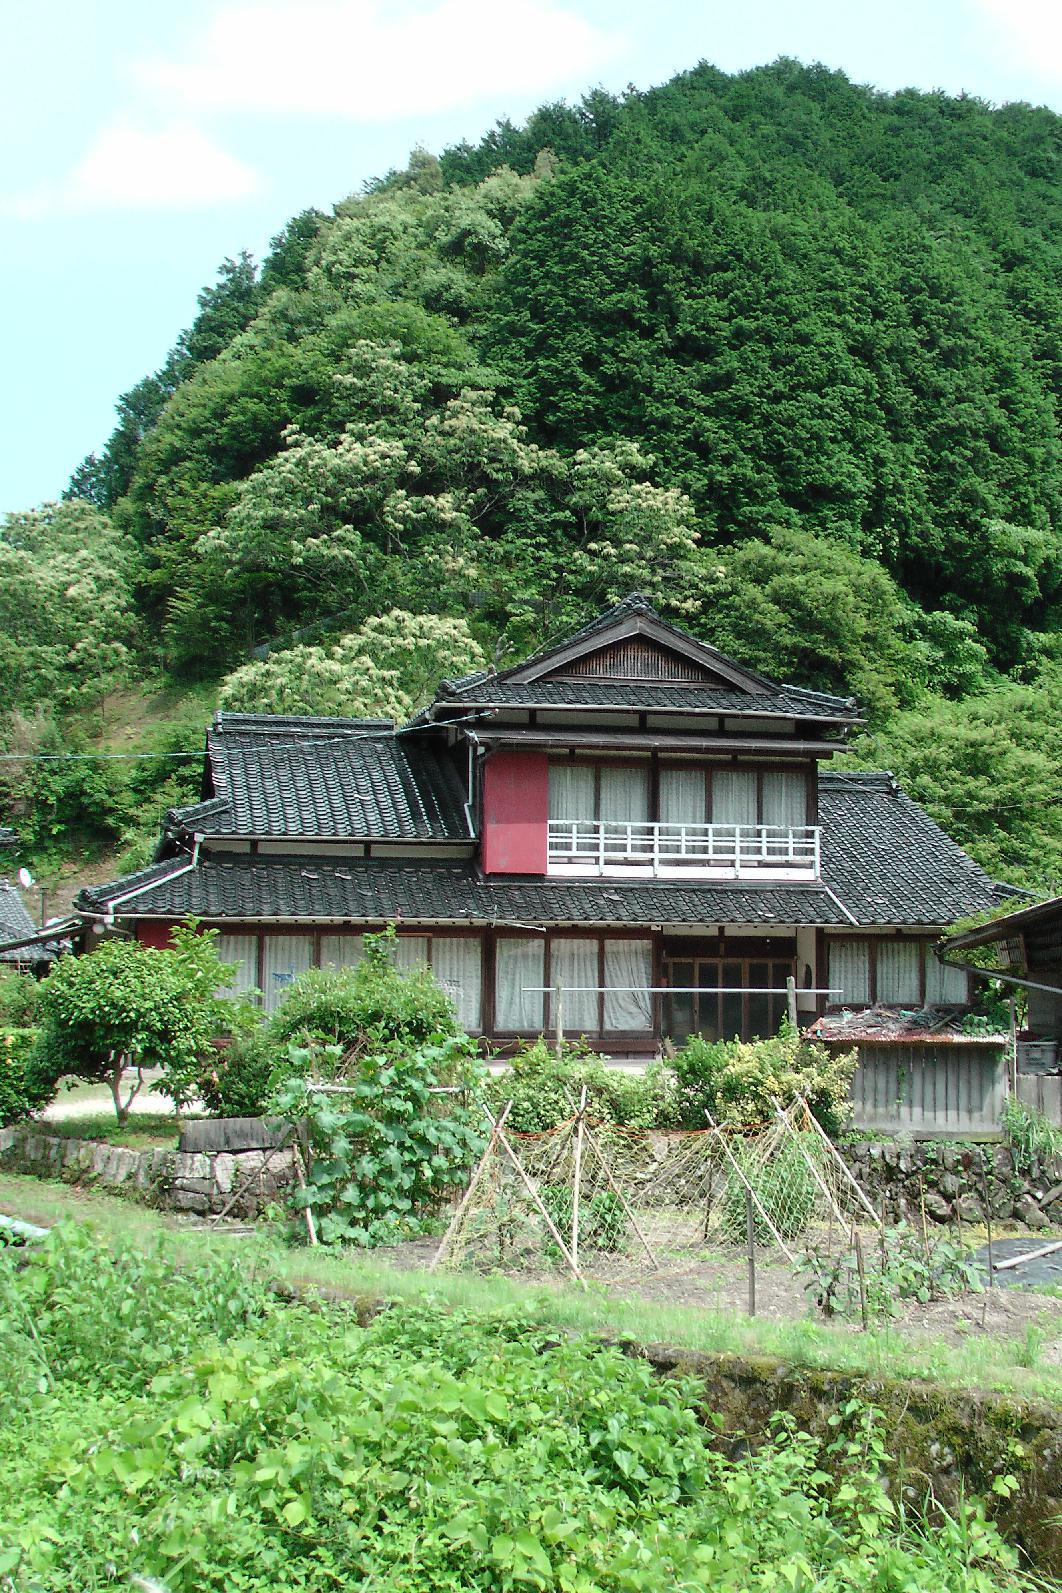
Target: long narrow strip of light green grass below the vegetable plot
[{"x": 978, "y": 1364}]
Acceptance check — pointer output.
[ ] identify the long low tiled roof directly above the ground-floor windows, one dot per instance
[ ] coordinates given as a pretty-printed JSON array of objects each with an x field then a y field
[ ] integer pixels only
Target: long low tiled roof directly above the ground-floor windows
[{"x": 378, "y": 891}]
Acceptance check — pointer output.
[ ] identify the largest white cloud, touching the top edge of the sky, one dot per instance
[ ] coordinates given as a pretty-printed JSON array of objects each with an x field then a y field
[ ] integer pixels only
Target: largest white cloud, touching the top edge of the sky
[{"x": 370, "y": 60}]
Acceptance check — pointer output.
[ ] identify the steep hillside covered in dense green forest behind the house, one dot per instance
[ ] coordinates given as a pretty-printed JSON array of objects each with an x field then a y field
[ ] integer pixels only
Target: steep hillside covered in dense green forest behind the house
[{"x": 783, "y": 353}]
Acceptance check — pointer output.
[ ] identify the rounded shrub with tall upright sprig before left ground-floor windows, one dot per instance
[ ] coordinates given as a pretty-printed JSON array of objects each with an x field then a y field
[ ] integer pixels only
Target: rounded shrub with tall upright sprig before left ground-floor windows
[{"x": 373, "y": 1003}]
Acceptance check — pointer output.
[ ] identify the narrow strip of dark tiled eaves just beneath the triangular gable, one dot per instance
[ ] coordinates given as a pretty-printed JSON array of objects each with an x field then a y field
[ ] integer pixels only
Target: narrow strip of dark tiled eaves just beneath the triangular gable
[{"x": 789, "y": 702}]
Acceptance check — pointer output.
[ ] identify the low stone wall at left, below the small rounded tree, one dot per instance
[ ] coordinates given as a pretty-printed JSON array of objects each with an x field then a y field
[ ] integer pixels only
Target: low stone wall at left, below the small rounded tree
[{"x": 200, "y": 1183}]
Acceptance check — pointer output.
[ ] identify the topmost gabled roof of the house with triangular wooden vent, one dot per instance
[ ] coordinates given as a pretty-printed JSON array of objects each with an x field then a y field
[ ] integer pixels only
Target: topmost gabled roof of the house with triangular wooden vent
[{"x": 698, "y": 679}]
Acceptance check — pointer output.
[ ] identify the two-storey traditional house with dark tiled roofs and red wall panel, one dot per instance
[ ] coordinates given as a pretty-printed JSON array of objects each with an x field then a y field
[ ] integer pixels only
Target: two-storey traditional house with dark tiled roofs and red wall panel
[{"x": 628, "y": 815}]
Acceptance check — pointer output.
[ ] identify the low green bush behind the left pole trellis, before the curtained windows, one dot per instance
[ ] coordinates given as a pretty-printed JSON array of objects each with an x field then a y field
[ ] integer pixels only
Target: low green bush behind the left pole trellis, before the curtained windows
[{"x": 544, "y": 1089}]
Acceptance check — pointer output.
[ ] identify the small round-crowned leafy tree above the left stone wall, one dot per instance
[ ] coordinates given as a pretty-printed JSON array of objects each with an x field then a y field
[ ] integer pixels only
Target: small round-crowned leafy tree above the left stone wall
[{"x": 131, "y": 1008}]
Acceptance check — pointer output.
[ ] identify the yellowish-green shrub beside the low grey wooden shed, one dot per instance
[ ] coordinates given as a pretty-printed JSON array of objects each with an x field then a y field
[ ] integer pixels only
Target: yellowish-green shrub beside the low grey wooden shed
[{"x": 736, "y": 1081}]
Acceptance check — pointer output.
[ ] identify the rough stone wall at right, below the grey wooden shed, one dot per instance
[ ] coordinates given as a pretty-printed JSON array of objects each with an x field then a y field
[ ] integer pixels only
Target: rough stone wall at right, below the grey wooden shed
[{"x": 958, "y": 1181}]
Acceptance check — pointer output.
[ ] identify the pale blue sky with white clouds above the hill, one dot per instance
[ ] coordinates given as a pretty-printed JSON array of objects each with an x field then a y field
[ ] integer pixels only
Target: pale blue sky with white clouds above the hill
[{"x": 144, "y": 143}]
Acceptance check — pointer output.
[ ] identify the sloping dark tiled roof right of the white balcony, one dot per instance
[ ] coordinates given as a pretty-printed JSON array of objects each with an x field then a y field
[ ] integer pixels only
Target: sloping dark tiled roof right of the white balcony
[{"x": 888, "y": 861}]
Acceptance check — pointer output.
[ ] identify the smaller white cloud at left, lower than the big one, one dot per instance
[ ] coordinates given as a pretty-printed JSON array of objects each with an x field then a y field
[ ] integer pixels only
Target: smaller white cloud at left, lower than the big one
[{"x": 131, "y": 166}]
